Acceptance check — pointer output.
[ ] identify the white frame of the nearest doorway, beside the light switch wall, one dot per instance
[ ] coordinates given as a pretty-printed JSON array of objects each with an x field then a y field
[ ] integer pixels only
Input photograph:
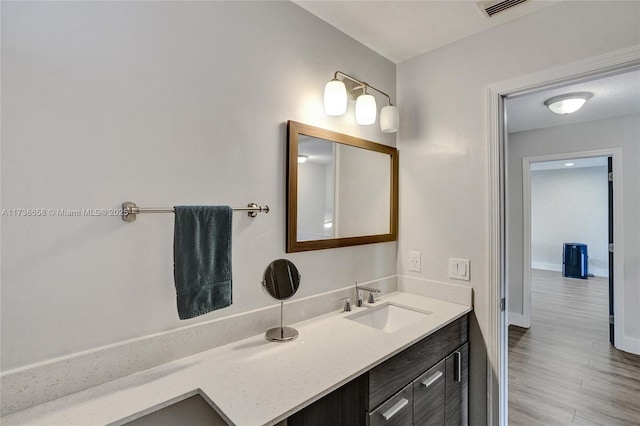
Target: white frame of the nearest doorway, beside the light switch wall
[{"x": 497, "y": 390}]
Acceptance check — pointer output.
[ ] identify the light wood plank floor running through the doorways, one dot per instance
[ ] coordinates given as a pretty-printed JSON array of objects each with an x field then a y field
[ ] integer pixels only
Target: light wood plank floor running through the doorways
[{"x": 562, "y": 370}]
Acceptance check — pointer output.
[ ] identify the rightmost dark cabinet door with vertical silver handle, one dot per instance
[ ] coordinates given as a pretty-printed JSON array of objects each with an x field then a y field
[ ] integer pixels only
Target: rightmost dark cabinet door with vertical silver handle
[{"x": 457, "y": 387}]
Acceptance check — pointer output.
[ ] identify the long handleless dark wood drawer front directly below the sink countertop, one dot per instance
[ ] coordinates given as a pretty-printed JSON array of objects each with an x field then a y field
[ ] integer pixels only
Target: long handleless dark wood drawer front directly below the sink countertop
[{"x": 392, "y": 375}]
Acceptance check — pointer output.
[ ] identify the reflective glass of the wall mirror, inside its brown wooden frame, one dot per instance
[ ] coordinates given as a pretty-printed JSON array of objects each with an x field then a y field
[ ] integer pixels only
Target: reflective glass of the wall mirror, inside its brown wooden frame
[{"x": 335, "y": 181}]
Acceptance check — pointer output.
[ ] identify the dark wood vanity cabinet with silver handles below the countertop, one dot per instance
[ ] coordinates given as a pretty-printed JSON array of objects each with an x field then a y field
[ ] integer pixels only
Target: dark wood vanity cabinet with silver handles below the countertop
[{"x": 426, "y": 384}]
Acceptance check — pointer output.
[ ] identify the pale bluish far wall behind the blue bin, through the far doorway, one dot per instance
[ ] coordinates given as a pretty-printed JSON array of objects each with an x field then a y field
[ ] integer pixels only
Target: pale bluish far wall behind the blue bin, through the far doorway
[{"x": 570, "y": 205}]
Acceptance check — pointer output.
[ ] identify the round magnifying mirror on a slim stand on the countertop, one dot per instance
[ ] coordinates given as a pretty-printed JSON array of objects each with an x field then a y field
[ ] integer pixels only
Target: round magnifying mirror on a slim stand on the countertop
[{"x": 281, "y": 281}]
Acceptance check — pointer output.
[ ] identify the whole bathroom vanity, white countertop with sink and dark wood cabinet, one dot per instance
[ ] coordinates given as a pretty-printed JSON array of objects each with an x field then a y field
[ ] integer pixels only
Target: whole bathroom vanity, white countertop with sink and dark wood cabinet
[{"x": 344, "y": 368}]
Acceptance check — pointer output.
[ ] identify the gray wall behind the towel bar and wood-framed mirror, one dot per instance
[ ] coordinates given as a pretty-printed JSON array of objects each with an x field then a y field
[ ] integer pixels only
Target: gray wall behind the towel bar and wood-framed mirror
[{"x": 161, "y": 103}]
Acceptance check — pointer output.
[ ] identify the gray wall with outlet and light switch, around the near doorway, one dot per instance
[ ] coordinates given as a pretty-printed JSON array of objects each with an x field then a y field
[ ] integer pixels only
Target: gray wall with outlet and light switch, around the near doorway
[{"x": 444, "y": 195}]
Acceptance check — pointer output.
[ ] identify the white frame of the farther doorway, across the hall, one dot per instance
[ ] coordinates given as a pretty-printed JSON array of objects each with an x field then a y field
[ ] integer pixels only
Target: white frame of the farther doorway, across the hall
[{"x": 616, "y": 155}]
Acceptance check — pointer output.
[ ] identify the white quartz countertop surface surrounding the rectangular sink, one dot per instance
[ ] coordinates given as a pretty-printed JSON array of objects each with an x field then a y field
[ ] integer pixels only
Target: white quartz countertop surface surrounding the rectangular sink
[{"x": 251, "y": 381}]
